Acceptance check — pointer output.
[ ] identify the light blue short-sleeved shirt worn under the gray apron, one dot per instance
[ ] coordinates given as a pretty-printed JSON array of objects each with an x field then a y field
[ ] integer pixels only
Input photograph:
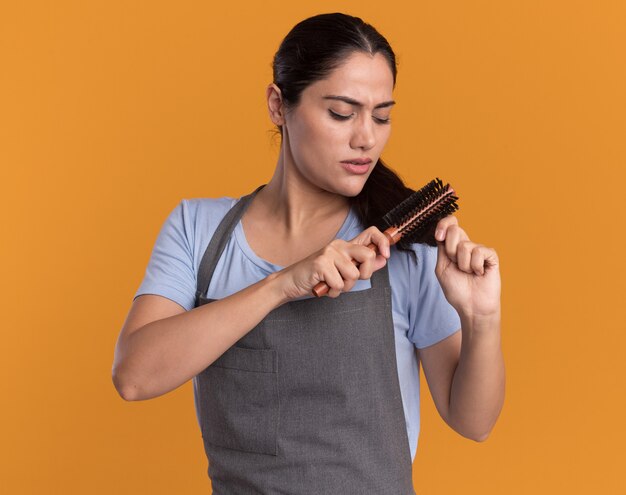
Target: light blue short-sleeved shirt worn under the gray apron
[{"x": 421, "y": 314}]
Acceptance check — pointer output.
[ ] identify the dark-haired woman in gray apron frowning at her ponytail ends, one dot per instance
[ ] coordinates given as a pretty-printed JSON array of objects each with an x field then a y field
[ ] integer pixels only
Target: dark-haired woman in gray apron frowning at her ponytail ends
[{"x": 302, "y": 395}]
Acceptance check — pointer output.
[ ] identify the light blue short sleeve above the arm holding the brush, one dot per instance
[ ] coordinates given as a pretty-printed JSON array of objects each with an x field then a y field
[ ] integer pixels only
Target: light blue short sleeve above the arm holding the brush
[{"x": 171, "y": 271}]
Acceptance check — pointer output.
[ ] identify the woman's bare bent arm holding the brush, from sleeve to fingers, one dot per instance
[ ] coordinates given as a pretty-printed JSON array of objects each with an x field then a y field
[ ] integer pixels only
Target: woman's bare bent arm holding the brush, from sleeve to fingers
[{"x": 161, "y": 346}]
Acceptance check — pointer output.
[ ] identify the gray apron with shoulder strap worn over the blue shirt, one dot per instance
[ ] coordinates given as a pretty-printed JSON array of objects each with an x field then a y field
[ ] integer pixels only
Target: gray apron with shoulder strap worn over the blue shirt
[{"x": 307, "y": 402}]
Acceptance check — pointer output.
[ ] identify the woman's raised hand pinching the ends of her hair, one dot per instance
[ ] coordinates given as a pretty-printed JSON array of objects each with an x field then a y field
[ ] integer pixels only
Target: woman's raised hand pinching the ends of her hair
[{"x": 467, "y": 272}]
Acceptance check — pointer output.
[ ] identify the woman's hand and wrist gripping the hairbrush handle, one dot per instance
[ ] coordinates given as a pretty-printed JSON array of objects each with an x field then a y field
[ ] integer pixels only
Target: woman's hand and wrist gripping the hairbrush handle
[{"x": 333, "y": 264}]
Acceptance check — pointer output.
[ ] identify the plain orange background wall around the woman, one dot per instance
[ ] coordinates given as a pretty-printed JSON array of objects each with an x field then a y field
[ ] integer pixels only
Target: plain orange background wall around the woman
[{"x": 111, "y": 112}]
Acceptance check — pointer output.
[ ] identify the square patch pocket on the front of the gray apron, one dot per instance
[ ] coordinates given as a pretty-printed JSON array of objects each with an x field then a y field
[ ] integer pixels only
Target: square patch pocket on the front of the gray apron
[{"x": 238, "y": 400}]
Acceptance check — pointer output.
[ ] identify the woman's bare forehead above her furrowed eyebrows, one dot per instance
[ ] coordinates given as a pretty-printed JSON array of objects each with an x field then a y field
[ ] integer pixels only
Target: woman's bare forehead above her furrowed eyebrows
[{"x": 361, "y": 76}]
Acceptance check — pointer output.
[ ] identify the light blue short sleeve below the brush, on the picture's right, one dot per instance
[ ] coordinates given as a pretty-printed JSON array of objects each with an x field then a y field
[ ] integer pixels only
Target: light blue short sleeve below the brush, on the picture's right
[{"x": 431, "y": 317}]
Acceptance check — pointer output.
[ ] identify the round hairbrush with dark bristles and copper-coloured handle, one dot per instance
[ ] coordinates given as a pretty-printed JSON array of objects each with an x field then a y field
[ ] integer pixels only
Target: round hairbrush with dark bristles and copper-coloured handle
[{"x": 414, "y": 219}]
